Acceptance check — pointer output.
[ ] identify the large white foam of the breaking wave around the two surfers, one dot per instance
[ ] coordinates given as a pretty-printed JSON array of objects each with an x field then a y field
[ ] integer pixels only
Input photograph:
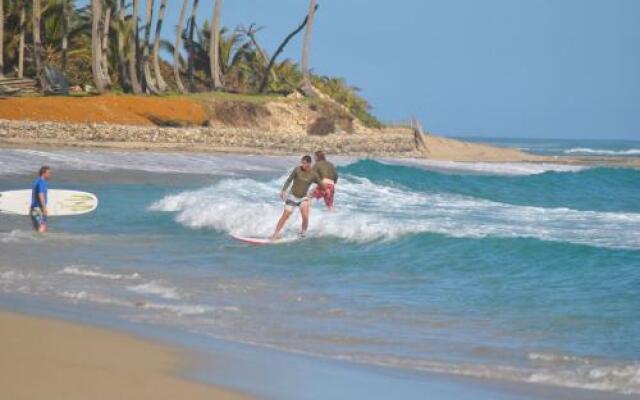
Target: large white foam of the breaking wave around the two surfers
[{"x": 367, "y": 211}]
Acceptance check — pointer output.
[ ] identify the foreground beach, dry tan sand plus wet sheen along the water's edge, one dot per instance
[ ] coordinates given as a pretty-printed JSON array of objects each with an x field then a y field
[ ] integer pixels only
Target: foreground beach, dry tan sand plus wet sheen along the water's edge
[{"x": 218, "y": 364}]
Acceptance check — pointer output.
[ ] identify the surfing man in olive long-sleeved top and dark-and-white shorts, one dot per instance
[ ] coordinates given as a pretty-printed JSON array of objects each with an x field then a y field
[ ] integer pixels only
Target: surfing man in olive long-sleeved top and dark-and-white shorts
[{"x": 302, "y": 178}]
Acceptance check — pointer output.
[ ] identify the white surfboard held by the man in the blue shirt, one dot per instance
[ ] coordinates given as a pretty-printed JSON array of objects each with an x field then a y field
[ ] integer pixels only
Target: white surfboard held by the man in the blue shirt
[{"x": 60, "y": 202}]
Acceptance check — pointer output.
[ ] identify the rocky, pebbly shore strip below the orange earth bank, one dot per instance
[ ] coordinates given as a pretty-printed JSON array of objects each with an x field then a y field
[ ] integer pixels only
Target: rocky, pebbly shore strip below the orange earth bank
[{"x": 398, "y": 143}]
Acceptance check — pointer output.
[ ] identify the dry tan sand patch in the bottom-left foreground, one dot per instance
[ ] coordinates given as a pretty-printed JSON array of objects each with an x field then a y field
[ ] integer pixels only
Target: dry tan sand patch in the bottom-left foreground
[{"x": 48, "y": 359}]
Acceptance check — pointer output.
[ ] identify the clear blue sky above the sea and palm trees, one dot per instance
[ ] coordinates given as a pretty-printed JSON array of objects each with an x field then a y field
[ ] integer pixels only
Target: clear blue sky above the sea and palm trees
[{"x": 520, "y": 68}]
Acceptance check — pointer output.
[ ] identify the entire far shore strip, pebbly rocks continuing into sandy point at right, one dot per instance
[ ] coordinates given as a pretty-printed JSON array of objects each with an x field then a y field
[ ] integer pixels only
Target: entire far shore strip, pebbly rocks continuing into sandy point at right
[{"x": 399, "y": 143}]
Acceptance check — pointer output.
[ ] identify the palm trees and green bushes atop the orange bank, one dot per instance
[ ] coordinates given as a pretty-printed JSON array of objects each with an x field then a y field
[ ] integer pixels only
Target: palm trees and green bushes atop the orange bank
[{"x": 69, "y": 38}]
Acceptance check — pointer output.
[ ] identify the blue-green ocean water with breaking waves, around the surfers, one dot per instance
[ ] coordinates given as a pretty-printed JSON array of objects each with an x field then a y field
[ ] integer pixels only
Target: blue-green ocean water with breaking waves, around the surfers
[{"x": 508, "y": 272}]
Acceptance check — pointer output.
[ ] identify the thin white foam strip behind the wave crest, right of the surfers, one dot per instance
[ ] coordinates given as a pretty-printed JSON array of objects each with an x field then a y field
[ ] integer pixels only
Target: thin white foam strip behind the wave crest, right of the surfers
[{"x": 490, "y": 168}]
